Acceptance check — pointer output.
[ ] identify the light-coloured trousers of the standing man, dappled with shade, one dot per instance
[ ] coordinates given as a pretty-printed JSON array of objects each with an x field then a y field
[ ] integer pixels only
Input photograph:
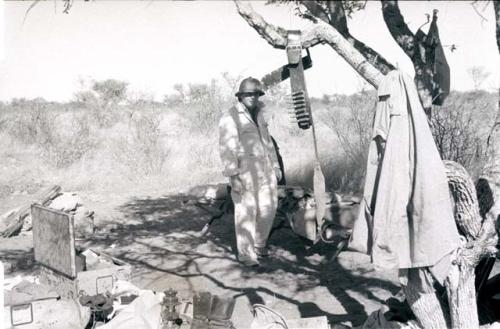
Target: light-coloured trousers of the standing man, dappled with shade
[{"x": 254, "y": 212}]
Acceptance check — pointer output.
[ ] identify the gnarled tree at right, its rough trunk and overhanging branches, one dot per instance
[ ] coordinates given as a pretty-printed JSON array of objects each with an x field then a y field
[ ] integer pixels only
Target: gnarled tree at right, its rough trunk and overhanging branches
[{"x": 330, "y": 27}]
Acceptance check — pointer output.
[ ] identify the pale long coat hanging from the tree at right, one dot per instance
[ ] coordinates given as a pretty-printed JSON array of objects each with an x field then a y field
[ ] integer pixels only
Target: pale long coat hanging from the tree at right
[{"x": 406, "y": 217}]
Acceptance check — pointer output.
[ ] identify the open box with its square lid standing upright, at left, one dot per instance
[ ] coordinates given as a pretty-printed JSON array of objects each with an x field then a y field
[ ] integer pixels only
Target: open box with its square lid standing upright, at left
[{"x": 54, "y": 248}]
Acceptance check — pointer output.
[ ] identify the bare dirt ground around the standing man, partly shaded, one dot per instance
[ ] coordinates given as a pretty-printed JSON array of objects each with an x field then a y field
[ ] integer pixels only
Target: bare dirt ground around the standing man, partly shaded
[{"x": 160, "y": 236}]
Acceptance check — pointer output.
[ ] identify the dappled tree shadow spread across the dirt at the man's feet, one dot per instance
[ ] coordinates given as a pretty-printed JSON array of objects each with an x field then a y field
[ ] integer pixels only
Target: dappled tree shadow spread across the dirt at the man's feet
[{"x": 161, "y": 236}]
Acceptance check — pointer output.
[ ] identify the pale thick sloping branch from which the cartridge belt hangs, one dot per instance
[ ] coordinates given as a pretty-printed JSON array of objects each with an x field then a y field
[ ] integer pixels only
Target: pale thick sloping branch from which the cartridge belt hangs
[{"x": 321, "y": 33}]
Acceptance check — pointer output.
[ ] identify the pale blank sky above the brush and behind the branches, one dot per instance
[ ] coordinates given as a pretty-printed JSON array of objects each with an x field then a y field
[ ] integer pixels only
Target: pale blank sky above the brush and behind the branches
[{"x": 156, "y": 44}]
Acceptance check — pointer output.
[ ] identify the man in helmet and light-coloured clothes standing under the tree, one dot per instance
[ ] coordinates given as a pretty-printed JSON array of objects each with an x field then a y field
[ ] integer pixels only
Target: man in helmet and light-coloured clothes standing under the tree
[{"x": 250, "y": 162}]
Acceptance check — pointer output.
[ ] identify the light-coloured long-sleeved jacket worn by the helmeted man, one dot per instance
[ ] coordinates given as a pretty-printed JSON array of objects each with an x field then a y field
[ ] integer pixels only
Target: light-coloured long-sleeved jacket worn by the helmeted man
[{"x": 246, "y": 149}]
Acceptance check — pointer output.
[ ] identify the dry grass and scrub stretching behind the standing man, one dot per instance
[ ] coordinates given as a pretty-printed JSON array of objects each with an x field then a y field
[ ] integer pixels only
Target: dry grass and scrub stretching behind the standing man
[{"x": 173, "y": 148}]
